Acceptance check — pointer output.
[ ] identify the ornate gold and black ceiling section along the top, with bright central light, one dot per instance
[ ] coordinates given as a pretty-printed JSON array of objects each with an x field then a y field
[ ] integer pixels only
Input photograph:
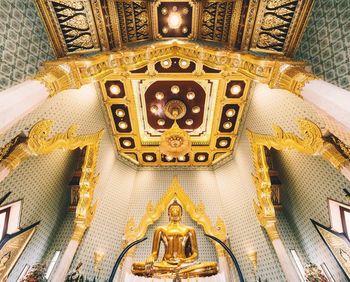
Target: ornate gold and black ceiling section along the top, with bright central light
[{"x": 88, "y": 26}]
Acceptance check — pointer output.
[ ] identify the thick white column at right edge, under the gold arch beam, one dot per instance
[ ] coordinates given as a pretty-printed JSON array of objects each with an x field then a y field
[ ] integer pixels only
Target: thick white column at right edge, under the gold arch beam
[{"x": 330, "y": 99}]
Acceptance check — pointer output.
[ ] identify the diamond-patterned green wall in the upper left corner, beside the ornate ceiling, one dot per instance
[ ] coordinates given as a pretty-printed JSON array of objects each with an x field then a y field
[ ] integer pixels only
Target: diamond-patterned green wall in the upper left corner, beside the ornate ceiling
[{"x": 24, "y": 44}]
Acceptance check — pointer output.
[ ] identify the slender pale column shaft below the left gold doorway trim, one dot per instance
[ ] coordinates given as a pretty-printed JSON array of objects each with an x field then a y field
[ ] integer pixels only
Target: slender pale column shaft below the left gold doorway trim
[{"x": 65, "y": 262}]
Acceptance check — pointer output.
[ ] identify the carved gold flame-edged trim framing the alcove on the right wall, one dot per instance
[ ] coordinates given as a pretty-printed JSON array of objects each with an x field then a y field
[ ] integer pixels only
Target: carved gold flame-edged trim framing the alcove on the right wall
[{"x": 311, "y": 143}]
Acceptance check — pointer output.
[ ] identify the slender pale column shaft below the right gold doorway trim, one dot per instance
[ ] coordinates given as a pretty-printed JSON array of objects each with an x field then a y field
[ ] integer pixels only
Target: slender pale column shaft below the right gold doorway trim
[{"x": 285, "y": 261}]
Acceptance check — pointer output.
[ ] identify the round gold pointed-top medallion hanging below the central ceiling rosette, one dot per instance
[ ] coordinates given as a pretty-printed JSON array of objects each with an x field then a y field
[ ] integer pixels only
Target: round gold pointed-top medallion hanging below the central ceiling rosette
[{"x": 175, "y": 142}]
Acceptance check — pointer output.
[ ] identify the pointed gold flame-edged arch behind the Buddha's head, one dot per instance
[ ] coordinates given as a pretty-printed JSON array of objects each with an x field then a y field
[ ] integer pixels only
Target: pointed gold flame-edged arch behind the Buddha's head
[{"x": 153, "y": 213}]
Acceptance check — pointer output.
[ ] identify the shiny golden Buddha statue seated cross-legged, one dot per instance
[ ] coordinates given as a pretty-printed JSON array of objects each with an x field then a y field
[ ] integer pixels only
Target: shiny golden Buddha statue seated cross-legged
[{"x": 181, "y": 252}]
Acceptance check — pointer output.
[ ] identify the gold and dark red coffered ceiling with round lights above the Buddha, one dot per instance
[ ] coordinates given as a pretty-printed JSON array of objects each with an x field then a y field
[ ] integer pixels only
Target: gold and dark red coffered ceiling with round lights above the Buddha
[{"x": 144, "y": 102}]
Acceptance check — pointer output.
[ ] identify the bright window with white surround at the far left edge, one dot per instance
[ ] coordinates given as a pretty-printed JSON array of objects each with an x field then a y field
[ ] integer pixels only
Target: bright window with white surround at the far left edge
[{"x": 10, "y": 218}]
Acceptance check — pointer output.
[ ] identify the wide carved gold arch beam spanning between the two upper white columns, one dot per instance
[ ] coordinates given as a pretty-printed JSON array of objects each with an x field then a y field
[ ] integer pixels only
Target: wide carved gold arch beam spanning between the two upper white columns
[{"x": 74, "y": 71}]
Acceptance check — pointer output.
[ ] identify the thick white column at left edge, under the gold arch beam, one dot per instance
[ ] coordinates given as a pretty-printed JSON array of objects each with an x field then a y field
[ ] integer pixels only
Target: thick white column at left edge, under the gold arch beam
[{"x": 20, "y": 100}]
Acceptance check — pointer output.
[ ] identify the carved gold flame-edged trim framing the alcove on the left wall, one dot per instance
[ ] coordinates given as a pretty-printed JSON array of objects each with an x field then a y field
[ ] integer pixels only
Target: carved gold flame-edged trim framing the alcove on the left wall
[{"x": 39, "y": 142}]
